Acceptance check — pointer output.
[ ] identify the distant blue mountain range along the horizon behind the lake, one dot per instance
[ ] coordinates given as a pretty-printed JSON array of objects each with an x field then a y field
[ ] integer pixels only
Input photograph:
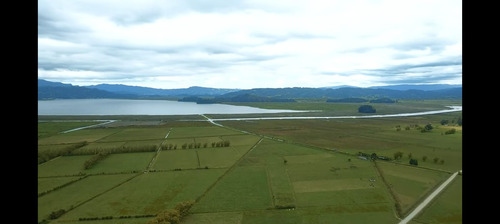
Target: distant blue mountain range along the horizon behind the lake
[{"x": 57, "y": 90}]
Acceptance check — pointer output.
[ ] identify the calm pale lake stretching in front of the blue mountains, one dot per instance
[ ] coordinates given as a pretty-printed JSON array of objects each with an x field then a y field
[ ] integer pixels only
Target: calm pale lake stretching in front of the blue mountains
[{"x": 140, "y": 107}]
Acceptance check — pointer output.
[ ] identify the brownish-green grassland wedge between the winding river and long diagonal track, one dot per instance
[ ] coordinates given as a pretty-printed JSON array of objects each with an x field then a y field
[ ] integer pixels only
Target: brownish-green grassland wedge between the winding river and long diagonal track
[{"x": 377, "y": 135}]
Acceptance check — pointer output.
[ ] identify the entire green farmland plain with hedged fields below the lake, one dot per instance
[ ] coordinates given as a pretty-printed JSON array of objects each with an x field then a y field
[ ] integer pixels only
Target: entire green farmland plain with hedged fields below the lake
[{"x": 272, "y": 171}]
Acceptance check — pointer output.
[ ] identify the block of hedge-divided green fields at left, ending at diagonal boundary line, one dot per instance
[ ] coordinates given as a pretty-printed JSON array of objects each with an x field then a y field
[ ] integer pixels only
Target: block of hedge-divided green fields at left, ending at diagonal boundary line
[{"x": 135, "y": 183}]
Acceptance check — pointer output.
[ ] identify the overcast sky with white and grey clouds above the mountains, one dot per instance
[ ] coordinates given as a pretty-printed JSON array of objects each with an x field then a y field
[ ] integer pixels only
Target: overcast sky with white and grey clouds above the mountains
[{"x": 170, "y": 44}]
